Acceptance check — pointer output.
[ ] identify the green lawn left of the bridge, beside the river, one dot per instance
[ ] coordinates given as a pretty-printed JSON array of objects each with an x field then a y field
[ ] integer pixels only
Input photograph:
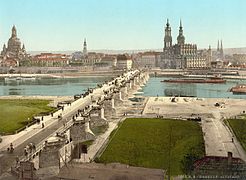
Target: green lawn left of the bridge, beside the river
[{"x": 14, "y": 114}]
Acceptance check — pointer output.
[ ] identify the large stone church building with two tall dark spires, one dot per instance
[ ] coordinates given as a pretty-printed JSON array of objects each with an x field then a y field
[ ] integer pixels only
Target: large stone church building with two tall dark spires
[{"x": 182, "y": 55}]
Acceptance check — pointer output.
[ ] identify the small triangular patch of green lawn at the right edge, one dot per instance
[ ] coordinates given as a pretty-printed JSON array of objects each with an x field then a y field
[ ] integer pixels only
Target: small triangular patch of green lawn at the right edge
[{"x": 239, "y": 128}]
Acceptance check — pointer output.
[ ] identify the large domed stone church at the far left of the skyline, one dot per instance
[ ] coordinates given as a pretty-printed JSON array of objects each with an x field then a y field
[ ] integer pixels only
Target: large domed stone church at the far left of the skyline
[{"x": 13, "y": 53}]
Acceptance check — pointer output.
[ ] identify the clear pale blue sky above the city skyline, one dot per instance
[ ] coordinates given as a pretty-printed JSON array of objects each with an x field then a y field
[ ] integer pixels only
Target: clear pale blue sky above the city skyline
[{"x": 59, "y": 25}]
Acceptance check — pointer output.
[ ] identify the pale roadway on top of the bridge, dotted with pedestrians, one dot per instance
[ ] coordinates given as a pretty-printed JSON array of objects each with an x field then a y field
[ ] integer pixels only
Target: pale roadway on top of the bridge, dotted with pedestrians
[{"x": 36, "y": 134}]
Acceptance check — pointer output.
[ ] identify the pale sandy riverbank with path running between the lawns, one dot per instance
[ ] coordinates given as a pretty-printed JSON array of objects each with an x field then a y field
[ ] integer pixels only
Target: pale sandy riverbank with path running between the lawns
[{"x": 211, "y": 111}]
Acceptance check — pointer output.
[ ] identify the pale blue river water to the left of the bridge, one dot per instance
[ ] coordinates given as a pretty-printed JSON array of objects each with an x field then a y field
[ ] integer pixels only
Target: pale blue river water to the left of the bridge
[{"x": 49, "y": 86}]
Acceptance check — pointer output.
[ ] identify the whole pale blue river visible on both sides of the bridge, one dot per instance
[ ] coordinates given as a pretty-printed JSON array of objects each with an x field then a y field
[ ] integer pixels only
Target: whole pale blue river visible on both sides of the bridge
[{"x": 154, "y": 87}]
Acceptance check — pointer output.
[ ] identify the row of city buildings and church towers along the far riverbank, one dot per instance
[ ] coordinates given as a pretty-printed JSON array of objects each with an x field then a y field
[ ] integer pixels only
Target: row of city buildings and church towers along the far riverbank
[{"x": 180, "y": 55}]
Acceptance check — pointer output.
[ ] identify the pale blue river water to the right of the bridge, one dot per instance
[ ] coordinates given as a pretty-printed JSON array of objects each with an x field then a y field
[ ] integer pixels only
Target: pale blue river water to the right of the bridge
[{"x": 155, "y": 87}]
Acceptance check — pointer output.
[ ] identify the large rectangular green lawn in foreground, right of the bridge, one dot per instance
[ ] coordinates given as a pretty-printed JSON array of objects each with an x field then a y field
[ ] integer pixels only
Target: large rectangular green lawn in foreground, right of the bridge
[{"x": 148, "y": 143}]
